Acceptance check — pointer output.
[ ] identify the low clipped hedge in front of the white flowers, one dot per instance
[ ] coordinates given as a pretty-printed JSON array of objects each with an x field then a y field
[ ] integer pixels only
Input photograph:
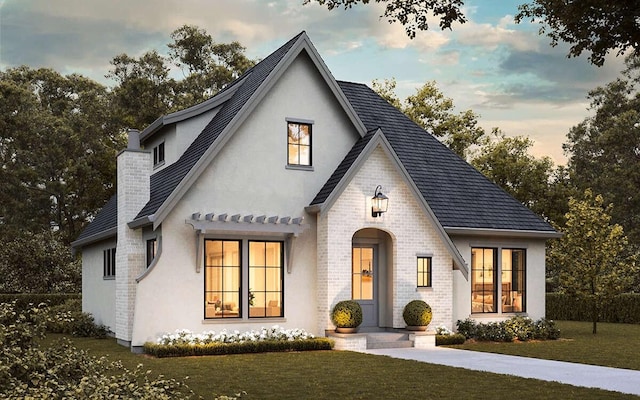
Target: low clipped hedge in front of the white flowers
[{"x": 208, "y": 349}]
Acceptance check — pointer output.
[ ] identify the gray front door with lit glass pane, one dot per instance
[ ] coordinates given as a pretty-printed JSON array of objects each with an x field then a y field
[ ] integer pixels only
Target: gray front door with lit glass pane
[{"x": 364, "y": 286}]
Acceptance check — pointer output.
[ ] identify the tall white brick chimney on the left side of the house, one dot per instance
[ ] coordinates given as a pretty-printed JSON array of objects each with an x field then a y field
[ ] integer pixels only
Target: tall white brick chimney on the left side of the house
[{"x": 133, "y": 186}]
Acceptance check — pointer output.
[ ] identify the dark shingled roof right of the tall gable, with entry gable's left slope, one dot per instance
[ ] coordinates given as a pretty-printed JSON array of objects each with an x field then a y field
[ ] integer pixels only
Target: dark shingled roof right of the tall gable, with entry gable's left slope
[{"x": 459, "y": 195}]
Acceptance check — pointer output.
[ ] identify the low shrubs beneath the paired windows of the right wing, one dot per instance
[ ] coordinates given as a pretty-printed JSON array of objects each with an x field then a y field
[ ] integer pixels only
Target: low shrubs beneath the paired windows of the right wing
[{"x": 521, "y": 328}]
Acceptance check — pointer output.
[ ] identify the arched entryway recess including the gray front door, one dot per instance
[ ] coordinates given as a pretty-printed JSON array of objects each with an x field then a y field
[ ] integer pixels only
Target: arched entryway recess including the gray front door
[{"x": 371, "y": 276}]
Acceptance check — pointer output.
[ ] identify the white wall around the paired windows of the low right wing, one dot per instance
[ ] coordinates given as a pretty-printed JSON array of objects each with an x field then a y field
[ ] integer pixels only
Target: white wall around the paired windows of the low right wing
[{"x": 535, "y": 275}]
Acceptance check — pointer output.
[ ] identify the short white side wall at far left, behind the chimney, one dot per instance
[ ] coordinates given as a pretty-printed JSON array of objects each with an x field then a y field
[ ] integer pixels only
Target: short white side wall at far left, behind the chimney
[{"x": 100, "y": 302}]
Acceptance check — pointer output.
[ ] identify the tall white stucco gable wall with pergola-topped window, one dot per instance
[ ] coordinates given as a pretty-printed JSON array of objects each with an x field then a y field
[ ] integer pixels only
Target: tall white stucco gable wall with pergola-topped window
[{"x": 249, "y": 176}]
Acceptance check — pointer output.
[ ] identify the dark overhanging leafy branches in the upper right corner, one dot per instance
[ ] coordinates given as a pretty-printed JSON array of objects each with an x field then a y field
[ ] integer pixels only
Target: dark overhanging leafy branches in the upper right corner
[{"x": 594, "y": 26}]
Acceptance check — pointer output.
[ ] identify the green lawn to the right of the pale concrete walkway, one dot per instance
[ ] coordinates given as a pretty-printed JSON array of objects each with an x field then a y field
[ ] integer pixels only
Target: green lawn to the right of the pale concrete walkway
[{"x": 615, "y": 345}]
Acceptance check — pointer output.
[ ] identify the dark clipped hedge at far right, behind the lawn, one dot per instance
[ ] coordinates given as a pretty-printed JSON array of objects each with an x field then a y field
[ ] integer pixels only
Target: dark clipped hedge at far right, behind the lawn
[{"x": 624, "y": 308}]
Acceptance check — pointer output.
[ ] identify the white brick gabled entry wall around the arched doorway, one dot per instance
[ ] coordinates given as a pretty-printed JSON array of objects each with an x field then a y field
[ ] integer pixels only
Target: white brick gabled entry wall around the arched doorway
[{"x": 412, "y": 234}]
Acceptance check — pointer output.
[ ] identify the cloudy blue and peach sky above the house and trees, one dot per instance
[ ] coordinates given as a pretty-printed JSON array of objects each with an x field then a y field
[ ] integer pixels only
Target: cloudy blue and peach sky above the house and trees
[{"x": 505, "y": 72}]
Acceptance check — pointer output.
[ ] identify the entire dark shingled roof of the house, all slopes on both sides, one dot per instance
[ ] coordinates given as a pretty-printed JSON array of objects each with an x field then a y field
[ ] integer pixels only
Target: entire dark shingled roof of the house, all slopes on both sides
[{"x": 458, "y": 194}]
